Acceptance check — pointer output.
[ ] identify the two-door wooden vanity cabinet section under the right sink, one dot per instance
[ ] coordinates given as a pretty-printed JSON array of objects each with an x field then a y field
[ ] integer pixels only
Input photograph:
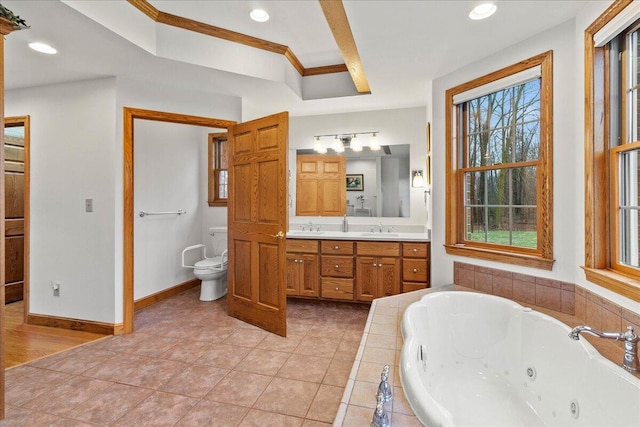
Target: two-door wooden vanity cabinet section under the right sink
[{"x": 377, "y": 270}]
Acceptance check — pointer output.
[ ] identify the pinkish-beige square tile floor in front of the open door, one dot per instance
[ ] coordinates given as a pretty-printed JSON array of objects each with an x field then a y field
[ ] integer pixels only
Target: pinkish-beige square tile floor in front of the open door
[{"x": 189, "y": 364}]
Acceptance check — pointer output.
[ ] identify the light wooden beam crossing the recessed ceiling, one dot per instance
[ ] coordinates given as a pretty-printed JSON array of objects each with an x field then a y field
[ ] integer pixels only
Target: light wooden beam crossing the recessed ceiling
[{"x": 337, "y": 19}]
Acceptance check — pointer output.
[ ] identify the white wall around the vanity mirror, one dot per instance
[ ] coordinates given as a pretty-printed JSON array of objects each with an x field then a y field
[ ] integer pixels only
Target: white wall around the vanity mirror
[{"x": 400, "y": 126}]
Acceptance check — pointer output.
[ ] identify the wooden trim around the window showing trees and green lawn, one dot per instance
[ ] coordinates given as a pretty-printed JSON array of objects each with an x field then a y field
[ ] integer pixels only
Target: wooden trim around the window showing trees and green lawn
[{"x": 542, "y": 257}]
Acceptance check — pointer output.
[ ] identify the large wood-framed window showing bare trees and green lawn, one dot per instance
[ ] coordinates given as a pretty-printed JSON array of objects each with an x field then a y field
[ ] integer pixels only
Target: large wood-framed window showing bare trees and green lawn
[{"x": 499, "y": 168}]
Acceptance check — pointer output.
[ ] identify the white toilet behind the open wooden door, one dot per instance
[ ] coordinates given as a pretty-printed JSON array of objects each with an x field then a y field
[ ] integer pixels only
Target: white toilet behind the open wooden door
[{"x": 212, "y": 271}]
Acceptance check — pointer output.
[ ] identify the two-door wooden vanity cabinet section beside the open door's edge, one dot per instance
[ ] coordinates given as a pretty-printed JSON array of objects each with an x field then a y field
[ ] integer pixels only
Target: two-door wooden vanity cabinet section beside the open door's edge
[{"x": 302, "y": 268}]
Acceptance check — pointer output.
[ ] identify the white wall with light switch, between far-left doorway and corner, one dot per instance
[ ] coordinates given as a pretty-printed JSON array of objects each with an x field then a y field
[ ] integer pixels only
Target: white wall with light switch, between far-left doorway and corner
[{"x": 73, "y": 156}]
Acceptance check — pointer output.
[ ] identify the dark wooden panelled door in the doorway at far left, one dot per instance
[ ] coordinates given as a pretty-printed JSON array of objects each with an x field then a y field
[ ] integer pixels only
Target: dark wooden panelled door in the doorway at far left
[{"x": 14, "y": 201}]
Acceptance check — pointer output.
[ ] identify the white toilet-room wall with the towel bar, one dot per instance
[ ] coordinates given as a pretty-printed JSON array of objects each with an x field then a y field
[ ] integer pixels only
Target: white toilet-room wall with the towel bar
[{"x": 167, "y": 178}]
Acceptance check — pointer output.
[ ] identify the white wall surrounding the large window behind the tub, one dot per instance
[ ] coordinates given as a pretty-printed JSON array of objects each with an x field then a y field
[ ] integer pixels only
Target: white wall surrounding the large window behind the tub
[{"x": 566, "y": 40}]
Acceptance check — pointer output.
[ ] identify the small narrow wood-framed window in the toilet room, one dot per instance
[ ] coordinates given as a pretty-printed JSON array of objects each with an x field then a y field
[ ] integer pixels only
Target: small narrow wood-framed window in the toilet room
[{"x": 218, "y": 165}]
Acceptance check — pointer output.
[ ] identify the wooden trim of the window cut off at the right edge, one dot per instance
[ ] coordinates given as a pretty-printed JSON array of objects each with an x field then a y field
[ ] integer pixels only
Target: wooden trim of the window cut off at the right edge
[{"x": 597, "y": 225}]
